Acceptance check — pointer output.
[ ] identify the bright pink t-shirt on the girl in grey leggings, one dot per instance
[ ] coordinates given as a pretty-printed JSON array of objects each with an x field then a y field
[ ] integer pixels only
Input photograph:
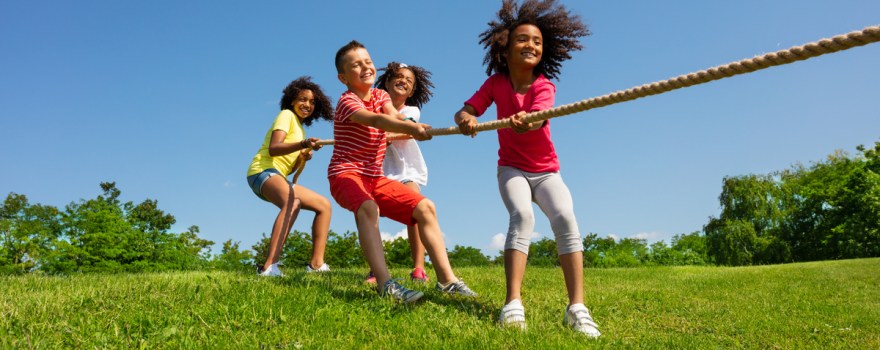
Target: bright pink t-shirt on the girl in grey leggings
[{"x": 531, "y": 151}]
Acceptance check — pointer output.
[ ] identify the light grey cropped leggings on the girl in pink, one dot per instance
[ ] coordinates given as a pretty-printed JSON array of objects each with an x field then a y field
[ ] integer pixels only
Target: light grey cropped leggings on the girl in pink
[{"x": 519, "y": 189}]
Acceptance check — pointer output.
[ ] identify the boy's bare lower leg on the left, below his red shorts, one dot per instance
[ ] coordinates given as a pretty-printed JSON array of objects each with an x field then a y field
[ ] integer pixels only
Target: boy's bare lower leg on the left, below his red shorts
[{"x": 367, "y": 218}]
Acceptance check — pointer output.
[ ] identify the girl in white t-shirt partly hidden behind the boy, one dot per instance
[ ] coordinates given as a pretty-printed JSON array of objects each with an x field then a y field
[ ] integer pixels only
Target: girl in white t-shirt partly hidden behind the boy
[{"x": 409, "y": 88}]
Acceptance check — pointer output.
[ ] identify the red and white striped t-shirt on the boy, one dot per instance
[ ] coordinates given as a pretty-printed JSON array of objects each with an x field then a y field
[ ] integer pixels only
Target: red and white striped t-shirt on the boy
[{"x": 359, "y": 148}]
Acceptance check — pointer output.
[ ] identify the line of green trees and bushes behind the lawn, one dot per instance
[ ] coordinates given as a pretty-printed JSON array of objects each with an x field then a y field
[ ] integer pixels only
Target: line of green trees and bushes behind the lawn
[{"x": 827, "y": 210}]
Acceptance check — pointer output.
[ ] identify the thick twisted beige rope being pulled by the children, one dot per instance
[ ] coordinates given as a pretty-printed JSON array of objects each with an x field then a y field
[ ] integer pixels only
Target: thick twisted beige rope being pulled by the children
[{"x": 798, "y": 53}]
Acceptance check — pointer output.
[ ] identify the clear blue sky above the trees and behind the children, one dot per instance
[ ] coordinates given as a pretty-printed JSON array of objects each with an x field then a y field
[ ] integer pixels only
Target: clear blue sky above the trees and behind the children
[{"x": 171, "y": 100}]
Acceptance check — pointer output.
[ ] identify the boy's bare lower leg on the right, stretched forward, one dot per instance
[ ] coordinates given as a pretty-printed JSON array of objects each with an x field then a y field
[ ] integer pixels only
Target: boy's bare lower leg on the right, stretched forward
[{"x": 429, "y": 230}]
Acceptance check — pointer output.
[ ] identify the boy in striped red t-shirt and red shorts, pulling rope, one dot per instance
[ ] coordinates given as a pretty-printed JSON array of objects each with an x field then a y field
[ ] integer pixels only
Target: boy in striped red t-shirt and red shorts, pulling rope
[{"x": 363, "y": 114}]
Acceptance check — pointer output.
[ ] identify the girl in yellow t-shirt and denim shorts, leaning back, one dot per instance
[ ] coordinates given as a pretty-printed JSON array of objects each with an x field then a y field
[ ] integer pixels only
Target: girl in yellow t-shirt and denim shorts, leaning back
[{"x": 283, "y": 147}]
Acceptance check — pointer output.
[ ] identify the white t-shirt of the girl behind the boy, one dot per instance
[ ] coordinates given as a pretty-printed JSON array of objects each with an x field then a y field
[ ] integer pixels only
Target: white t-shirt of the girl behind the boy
[{"x": 403, "y": 158}]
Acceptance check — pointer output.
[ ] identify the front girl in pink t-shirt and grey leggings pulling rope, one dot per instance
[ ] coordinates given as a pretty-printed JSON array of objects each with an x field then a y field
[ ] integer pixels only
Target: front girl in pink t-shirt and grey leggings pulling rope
[{"x": 525, "y": 48}]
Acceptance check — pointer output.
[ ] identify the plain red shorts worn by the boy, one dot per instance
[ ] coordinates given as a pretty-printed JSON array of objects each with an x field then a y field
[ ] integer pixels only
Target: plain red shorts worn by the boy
[{"x": 395, "y": 200}]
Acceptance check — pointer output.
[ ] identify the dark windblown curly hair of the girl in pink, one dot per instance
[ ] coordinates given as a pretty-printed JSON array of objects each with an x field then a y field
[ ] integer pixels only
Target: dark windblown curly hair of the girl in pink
[{"x": 559, "y": 27}]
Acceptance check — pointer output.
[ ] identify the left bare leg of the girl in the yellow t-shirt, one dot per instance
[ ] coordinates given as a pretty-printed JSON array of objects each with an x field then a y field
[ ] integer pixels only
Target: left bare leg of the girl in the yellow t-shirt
[{"x": 278, "y": 191}]
